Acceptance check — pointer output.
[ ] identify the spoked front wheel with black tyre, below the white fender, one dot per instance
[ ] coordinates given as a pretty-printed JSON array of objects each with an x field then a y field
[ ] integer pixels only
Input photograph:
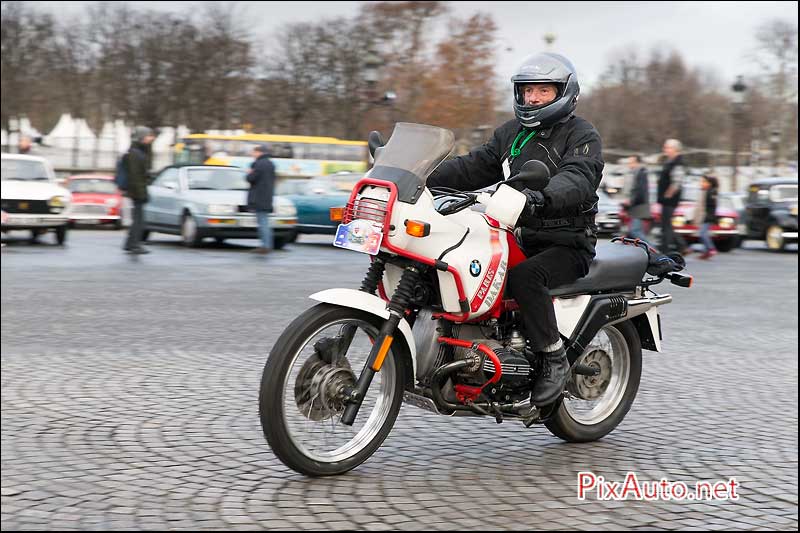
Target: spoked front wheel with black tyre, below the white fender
[{"x": 304, "y": 386}]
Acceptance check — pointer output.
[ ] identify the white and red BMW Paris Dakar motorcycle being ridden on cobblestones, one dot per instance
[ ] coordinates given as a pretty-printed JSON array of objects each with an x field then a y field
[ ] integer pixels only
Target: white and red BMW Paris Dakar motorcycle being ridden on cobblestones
[{"x": 431, "y": 324}]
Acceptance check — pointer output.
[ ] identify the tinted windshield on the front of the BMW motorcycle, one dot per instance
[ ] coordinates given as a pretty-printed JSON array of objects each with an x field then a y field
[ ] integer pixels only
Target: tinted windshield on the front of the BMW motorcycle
[{"x": 412, "y": 153}]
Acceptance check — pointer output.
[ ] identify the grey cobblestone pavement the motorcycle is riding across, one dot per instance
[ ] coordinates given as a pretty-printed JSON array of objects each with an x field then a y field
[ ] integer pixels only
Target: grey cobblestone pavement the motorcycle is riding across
[{"x": 129, "y": 401}]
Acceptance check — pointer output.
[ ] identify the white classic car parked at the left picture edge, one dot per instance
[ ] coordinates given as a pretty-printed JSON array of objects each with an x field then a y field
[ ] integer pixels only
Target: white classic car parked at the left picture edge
[{"x": 31, "y": 197}]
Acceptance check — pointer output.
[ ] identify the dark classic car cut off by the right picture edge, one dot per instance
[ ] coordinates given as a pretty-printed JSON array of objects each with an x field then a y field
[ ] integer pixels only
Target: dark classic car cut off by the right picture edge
[{"x": 772, "y": 212}]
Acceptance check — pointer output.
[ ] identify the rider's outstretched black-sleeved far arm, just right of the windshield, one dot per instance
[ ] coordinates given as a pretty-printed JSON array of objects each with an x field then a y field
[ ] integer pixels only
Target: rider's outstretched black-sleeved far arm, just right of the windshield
[{"x": 475, "y": 170}]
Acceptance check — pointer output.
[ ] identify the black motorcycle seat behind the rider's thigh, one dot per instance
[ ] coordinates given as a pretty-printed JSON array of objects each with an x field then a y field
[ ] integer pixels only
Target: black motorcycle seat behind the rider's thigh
[{"x": 615, "y": 267}]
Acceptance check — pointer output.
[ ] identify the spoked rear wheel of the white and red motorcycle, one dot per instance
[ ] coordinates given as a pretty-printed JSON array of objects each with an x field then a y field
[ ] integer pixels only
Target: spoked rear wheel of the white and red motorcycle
[{"x": 595, "y": 405}]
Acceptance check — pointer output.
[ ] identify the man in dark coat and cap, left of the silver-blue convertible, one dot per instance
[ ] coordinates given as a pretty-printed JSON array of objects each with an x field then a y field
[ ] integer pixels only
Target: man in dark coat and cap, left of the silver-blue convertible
[{"x": 137, "y": 163}]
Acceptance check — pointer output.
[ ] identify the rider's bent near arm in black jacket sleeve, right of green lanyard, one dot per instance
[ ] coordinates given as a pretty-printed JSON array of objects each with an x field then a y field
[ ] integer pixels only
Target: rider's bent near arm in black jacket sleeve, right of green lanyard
[{"x": 579, "y": 172}]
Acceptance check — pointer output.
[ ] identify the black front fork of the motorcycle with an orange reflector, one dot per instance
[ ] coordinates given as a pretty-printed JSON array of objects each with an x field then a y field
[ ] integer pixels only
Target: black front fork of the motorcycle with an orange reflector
[{"x": 397, "y": 308}]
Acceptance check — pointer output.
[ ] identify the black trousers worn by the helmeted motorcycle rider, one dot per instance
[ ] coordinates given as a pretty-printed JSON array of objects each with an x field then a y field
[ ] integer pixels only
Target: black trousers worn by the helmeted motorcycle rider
[{"x": 530, "y": 283}]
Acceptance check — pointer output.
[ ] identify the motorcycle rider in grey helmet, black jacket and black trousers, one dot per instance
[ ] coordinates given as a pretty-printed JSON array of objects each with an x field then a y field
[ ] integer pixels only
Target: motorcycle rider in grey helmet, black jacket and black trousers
[{"x": 556, "y": 229}]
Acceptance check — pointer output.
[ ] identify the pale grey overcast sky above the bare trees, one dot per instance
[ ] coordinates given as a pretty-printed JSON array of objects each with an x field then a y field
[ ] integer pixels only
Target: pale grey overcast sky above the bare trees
[{"x": 713, "y": 35}]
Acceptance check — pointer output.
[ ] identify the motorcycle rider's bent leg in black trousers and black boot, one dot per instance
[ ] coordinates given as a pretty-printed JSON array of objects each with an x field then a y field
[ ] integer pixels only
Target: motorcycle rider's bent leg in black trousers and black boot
[{"x": 529, "y": 283}]
